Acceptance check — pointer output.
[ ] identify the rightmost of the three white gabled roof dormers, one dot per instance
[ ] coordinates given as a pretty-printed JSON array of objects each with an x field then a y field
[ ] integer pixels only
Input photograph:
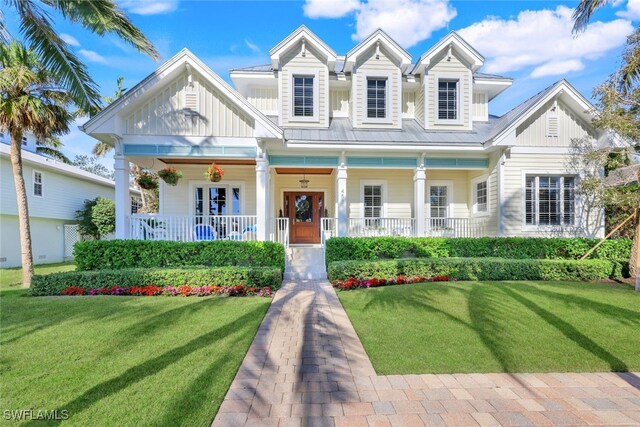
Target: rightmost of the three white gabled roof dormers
[{"x": 445, "y": 73}]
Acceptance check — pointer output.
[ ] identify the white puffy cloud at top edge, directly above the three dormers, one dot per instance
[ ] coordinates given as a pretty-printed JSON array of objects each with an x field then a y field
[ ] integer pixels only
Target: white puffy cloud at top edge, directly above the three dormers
[{"x": 408, "y": 22}]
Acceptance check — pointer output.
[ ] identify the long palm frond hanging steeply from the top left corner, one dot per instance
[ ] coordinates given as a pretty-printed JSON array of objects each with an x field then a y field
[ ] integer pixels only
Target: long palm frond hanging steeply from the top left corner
[{"x": 54, "y": 54}]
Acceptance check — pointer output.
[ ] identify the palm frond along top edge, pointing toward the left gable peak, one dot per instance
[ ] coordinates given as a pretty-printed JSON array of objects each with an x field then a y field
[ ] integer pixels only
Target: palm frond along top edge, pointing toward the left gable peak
[{"x": 104, "y": 16}]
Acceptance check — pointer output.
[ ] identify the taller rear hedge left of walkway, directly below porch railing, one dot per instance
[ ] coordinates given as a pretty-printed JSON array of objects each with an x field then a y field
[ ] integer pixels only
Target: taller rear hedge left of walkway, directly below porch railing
[{"x": 118, "y": 254}]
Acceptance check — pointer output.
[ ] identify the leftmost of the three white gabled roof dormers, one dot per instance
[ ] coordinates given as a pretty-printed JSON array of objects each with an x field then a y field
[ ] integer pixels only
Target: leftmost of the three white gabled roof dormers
[{"x": 303, "y": 61}]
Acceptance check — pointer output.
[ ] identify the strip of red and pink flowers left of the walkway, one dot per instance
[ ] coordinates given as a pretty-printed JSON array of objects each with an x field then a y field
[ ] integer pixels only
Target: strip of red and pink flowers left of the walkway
[{"x": 184, "y": 290}]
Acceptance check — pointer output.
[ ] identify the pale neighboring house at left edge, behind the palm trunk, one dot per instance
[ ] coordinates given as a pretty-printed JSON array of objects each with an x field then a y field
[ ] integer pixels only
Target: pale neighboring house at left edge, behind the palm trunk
[{"x": 55, "y": 191}]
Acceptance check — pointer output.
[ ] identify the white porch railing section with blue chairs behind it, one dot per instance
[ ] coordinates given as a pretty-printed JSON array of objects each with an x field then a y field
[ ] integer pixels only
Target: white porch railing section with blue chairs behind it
[{"x": 184, "y": 228}]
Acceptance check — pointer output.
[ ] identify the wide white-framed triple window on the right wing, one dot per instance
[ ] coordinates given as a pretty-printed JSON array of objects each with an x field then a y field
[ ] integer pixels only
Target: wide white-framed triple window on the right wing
[{"x": 549, "y": 200}]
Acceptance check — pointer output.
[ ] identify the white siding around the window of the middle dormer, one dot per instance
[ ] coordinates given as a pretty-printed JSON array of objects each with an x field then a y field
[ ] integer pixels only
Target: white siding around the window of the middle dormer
[{"x": 380, "y": 67}]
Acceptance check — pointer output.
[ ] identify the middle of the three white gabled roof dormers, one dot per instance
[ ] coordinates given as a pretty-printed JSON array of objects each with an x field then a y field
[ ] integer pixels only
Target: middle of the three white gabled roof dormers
[{"x": 376, "y": 66}]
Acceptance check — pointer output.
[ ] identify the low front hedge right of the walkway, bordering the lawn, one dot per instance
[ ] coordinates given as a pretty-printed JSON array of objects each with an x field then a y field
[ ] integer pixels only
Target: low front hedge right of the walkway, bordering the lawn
[{"x": 474, "y": 269}]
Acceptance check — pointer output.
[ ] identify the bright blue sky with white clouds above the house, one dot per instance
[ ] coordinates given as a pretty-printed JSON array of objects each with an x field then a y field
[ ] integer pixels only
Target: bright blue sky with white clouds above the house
[{"x": 530, "y": 41}]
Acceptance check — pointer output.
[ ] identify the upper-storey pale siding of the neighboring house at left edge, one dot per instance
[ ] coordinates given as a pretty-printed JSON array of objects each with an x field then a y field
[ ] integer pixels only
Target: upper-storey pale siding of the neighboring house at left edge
[{"x": 62, "y": 195}]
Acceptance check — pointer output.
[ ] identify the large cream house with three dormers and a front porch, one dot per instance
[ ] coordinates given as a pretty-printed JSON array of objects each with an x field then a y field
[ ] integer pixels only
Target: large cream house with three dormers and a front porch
[{"x": 373, "y": 142}]
